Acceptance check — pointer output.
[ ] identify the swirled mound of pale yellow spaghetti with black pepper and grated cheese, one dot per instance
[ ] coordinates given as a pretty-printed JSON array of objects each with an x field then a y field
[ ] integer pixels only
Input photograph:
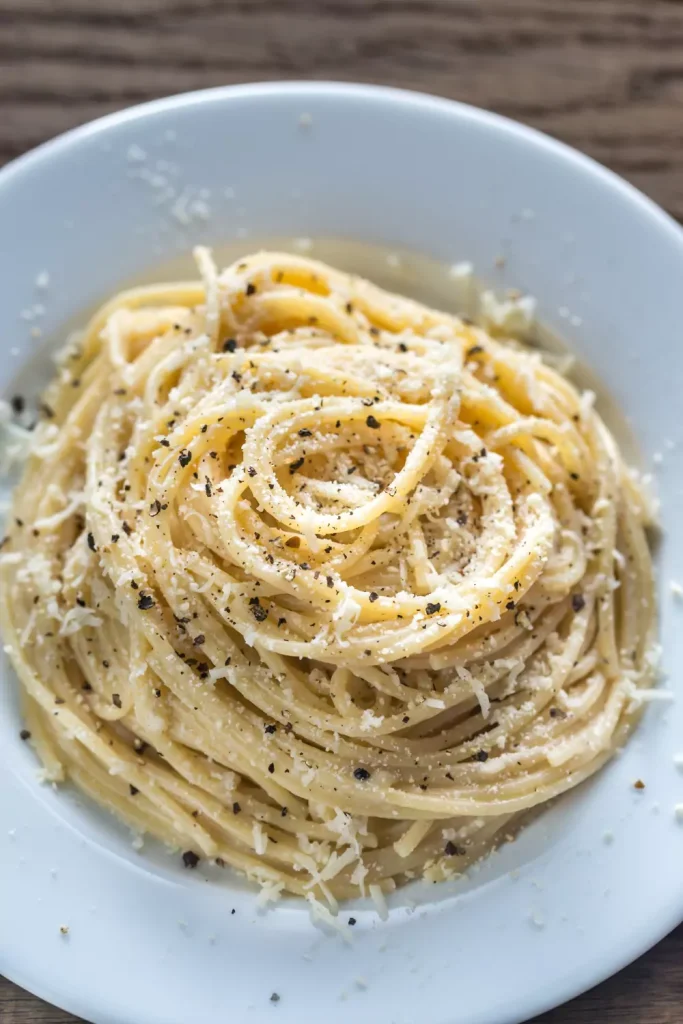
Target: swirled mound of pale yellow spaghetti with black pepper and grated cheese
[{"x": 312, "y": 580}]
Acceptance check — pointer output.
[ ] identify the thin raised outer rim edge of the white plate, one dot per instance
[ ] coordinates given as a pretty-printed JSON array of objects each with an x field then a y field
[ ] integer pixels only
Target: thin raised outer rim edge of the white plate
[{"x": 416, "y": 103}]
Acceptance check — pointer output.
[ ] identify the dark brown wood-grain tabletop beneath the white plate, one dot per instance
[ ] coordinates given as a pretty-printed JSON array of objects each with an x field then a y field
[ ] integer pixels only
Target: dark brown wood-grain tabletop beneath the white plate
[{"x": 606, "y": 76}]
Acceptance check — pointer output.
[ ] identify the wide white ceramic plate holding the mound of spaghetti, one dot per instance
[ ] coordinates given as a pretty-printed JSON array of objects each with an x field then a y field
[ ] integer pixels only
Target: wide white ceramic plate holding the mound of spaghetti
[{"x": 562, "y": 909}]
